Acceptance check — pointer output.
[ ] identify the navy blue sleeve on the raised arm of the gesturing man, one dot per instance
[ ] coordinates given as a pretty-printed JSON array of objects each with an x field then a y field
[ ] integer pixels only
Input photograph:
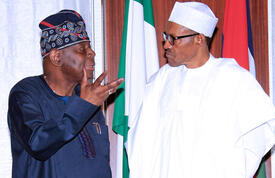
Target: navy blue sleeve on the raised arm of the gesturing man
[{"x": 40, "y": 135}]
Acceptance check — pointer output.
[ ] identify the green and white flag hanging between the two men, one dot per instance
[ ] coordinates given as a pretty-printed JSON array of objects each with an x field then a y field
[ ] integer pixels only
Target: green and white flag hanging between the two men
[{"x": 138, "y": 61}]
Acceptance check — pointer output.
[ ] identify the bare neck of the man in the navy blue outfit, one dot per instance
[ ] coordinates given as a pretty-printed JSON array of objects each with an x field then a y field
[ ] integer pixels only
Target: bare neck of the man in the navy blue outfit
[{"x": 59, "y": 86}]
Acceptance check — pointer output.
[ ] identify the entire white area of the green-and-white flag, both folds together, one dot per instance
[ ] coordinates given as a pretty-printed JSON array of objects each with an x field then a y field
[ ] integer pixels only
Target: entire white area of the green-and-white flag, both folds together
[{"x": 141, "y": 59}]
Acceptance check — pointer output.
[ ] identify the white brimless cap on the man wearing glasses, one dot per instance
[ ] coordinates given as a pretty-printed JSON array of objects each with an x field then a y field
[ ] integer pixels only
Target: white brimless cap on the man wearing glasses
[{"x": 194, "y": 15}]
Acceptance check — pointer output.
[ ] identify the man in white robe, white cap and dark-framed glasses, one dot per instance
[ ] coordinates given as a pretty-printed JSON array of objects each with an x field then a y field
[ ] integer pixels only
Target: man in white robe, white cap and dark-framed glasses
[{"x": 201, "y": 116}]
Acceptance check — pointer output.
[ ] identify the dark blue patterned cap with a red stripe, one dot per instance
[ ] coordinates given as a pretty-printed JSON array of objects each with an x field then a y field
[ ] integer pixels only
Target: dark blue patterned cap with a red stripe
[{"x": 61, "y": 30}]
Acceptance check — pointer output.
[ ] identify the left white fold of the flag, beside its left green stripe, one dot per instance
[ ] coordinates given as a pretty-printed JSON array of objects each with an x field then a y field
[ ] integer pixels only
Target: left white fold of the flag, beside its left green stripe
[{"x": 135, "y": 60}]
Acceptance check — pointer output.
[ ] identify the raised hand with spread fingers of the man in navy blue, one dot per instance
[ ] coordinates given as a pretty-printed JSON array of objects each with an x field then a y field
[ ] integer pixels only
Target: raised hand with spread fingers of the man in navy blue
[{"x": 96, "y": 93}]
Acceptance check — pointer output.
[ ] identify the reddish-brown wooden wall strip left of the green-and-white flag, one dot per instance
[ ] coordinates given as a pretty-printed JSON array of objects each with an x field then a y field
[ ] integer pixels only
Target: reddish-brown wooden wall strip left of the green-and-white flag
[{"x": 114, "y": 16}]
